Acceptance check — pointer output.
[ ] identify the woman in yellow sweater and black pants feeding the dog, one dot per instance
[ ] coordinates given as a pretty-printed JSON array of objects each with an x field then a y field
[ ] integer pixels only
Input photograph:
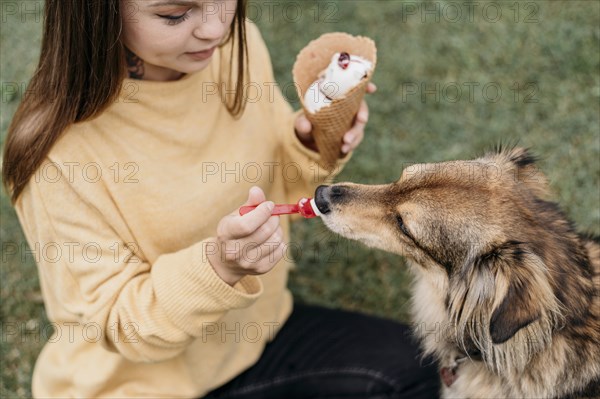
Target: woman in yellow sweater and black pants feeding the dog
[{"x": 127, "y": 161}]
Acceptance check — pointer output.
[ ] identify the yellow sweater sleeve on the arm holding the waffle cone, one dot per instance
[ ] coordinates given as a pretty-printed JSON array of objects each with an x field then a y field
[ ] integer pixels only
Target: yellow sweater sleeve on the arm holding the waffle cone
[{"x": 294, "y": 152}]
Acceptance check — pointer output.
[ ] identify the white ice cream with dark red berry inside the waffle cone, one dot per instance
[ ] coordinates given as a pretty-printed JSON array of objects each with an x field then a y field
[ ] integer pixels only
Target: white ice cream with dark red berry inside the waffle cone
[{"x": 341, "y": 76}]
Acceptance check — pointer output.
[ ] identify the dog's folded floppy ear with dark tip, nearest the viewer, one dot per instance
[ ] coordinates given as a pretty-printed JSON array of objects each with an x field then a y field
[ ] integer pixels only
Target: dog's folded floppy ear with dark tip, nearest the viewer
[{"x": 520, "y": 274}]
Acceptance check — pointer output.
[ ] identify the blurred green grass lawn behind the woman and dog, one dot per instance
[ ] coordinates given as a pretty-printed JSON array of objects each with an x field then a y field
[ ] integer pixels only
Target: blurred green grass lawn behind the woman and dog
[{"x": 550, "y": 52}]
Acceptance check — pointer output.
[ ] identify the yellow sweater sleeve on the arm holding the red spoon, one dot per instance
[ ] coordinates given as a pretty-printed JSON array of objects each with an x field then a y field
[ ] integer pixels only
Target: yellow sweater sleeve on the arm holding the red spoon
[{"x": 146, "y": 312}]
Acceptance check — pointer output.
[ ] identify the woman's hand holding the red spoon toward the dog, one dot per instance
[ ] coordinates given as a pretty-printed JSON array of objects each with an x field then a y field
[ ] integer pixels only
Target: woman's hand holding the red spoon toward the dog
[{"x": 248, "y": 245}]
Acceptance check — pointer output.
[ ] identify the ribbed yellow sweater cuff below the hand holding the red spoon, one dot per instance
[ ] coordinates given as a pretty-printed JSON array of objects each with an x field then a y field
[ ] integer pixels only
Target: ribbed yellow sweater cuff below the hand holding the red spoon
[{"x": 192, "y": 293}]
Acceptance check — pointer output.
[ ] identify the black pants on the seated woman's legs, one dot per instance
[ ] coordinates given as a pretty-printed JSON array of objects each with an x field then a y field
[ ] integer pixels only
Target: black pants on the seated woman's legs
[{"x": 326, "y": 353}]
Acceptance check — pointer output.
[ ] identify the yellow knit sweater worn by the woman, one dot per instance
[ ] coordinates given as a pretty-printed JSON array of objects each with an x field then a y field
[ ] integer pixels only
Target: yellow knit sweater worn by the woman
[{"x": 118, "y": 215}]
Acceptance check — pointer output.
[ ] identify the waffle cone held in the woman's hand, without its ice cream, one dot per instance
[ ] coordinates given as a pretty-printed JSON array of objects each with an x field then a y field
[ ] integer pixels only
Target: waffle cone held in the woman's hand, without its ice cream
[{"x": 332, "y": 121}]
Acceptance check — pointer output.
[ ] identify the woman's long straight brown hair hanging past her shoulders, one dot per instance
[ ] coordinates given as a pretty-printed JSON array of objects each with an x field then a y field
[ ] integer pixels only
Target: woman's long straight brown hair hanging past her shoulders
[{"x": 80, "y": 72}]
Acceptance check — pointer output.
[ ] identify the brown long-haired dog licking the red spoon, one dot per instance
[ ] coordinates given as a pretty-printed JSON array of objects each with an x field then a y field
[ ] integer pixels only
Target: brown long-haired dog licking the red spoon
[{"x": 506, "y": 294}]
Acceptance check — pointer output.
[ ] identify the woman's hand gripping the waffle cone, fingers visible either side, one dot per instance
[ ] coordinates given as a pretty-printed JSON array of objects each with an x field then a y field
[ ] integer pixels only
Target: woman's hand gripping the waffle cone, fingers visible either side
[{"x": 352, "y": 138}]
